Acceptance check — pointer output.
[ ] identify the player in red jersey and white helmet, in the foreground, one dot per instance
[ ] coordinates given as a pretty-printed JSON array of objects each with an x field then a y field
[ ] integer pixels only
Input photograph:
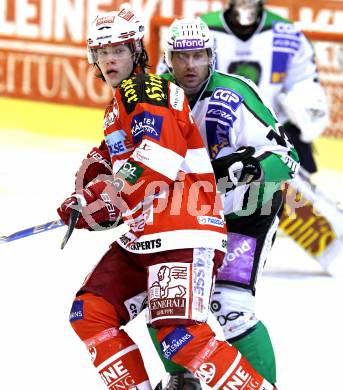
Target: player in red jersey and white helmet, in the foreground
[{"x": 156, "y": 176}]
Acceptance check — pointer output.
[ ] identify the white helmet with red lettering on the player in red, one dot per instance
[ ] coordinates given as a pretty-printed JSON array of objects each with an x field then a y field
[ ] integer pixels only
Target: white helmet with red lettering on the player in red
[{"x": 115, "y": 28}]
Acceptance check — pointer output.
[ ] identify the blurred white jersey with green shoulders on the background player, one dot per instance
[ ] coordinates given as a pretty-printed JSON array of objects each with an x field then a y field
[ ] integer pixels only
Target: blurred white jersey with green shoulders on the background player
[{"x": 275, "y": 57}]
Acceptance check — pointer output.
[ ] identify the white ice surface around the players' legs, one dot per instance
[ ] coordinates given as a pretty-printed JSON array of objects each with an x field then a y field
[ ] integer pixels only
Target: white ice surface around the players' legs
[{"x": 300, "y": 304}]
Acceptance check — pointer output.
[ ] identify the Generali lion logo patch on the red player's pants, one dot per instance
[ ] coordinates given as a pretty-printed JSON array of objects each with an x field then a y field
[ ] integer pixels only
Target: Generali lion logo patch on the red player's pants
[{"x": 169, "y": 290}]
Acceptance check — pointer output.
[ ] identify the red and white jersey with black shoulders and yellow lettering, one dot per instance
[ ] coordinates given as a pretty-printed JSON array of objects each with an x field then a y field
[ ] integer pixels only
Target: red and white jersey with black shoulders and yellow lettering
[{"x": 161, "y": 163}]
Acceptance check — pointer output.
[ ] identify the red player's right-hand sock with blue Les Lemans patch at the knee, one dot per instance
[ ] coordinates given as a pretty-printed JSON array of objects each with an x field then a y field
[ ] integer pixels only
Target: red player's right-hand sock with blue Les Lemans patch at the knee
[{"x": 216, "y": 363}]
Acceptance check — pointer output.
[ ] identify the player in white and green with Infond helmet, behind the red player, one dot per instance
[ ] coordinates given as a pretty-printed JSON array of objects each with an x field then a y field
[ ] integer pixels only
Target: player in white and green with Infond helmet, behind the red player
[{"x": 251, "y": 157}]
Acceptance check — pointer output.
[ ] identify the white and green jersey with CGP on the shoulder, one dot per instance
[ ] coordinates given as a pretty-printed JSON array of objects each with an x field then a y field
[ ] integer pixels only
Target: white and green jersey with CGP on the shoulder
[{"x": 230, "y": 113}]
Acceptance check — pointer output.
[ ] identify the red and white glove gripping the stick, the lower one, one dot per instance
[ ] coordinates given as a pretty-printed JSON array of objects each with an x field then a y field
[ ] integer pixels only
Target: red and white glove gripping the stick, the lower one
[{"x": 99, "y": 203}]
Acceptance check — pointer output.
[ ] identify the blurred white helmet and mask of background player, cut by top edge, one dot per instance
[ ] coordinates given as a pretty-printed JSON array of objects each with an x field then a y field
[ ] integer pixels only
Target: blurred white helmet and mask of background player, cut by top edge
[{"x": 247, "y": 11}]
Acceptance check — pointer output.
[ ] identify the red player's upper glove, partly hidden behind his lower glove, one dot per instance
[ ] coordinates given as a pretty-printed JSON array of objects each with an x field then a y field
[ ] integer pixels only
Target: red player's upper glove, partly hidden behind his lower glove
[{"x": 96, "y": 163}]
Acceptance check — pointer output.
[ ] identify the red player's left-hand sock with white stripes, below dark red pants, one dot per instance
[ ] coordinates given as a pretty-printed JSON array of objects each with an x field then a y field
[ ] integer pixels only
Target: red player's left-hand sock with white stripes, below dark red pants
[{"x": 113, "y": 353}]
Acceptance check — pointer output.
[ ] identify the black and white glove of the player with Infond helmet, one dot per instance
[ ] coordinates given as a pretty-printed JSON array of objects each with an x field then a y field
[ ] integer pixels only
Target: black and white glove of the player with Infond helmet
[{"x": 239, "y": 167}]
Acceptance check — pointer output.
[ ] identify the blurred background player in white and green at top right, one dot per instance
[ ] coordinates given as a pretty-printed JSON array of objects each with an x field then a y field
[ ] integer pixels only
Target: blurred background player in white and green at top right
[{"x": 255, "y": 43}]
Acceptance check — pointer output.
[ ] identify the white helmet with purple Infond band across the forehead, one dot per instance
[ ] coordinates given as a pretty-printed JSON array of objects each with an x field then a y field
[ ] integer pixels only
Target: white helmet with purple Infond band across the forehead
[{"x": 189, "y": 34}]
